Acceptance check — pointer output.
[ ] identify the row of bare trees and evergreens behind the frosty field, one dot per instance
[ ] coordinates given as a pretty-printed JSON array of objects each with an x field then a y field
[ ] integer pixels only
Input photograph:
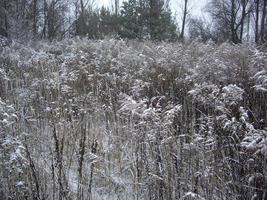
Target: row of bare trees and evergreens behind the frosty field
[{"x": 229, "y": 20}]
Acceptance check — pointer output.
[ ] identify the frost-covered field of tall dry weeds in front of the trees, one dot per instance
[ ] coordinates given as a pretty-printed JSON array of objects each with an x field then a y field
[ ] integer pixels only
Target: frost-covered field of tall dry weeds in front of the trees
[{"x": 114, "y": 119}]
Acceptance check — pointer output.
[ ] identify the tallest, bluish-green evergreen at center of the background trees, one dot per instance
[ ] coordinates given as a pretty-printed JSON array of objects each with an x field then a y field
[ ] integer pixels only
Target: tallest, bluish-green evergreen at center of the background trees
[{"x": 147, "y": 19}]
